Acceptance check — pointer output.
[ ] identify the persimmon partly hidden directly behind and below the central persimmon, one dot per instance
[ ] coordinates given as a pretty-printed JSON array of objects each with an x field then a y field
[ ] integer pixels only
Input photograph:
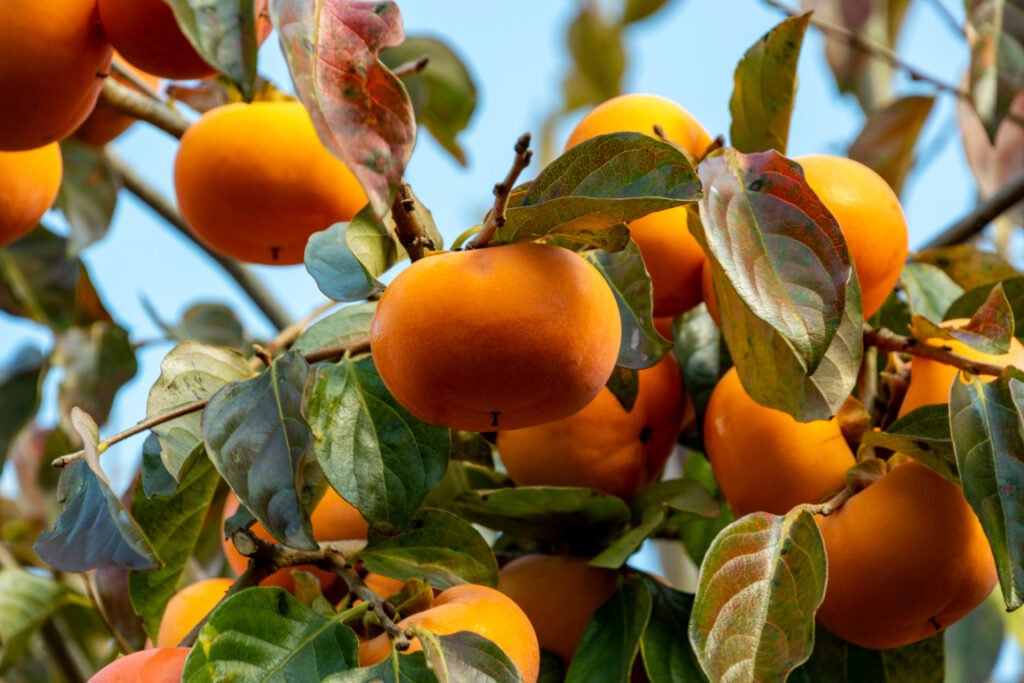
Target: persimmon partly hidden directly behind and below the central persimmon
[{"x": 603, "y": 447}]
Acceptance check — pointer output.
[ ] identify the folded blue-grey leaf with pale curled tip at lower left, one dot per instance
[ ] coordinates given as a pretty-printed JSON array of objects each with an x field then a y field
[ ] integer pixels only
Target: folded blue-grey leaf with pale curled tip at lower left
[{"x": 95, "y": 530}]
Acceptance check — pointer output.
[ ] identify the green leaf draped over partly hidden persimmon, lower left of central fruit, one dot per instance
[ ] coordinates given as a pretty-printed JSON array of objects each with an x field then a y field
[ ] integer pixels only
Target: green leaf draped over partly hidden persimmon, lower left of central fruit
[{"x": 438, "y": 547}]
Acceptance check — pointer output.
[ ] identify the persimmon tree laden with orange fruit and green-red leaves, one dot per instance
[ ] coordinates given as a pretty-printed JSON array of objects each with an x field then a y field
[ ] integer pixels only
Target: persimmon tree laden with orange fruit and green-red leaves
[{"x": 446, "y": 479}]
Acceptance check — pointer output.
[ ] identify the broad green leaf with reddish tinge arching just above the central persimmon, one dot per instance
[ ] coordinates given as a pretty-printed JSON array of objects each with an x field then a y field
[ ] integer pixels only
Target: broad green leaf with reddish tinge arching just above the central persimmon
[{"x": 600, "y": 184}]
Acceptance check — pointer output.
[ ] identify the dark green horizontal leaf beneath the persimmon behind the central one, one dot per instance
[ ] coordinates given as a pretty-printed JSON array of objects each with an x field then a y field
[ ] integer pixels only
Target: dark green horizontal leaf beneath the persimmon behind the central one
[{"x": 545, "y": 514}]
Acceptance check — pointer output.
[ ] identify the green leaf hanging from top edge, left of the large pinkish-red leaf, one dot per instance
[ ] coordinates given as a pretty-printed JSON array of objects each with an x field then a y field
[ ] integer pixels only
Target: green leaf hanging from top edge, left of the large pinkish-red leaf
[{"x": 224, "y": 32}]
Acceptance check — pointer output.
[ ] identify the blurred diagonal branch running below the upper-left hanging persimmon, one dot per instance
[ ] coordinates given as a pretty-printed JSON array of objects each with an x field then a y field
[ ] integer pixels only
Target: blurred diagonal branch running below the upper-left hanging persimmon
[{"x": 246, "y": 280}]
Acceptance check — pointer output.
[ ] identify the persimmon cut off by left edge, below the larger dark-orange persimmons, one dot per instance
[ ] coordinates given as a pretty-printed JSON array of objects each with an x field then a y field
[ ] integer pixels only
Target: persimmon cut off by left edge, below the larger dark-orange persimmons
[{"x": 29, "y": 185}]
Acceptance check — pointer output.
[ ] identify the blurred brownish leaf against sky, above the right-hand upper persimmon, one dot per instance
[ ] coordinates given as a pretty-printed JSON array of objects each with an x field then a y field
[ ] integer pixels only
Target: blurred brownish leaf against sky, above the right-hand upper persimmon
[{"x": 887, "y": 142}]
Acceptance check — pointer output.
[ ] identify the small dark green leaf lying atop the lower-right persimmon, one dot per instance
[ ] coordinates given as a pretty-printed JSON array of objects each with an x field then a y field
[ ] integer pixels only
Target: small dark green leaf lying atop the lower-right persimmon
[{"x": 924, "y": 436}]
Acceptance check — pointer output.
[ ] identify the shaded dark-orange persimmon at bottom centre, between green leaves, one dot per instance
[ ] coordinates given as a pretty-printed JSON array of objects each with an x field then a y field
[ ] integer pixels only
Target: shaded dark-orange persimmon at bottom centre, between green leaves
[{"x": 560, "y": 594}]
